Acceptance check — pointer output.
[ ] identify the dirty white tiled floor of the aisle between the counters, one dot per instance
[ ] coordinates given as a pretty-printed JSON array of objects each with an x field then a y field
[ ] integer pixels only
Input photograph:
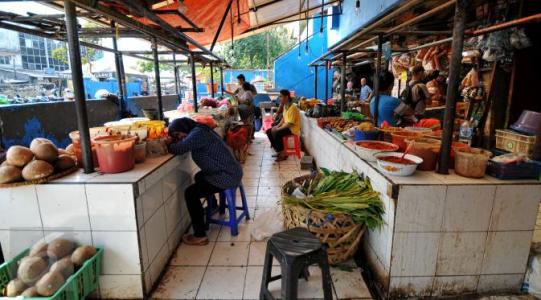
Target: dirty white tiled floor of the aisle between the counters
[{"x": 231, "y": 267}]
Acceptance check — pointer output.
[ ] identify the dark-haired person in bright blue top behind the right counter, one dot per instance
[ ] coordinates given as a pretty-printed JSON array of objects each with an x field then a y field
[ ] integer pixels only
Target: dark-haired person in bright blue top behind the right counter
[{"x": 387, "y": 103}]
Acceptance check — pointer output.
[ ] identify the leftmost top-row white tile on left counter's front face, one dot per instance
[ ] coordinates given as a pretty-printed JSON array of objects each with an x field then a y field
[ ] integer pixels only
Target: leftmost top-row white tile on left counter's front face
[{"x": 19, "y": 201}]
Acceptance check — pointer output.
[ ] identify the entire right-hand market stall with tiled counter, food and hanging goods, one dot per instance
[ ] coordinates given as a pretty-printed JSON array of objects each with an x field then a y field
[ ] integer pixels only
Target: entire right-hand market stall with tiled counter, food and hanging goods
[{"x": 460, "y": 184}]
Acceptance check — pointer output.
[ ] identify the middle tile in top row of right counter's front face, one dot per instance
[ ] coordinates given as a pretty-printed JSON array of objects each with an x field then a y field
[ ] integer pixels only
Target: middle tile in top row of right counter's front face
[{"x": 468, "y": 208}]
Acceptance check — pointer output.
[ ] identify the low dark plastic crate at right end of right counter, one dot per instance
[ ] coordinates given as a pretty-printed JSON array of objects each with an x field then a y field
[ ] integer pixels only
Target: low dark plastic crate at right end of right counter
[{"x": 524, "y": 170}]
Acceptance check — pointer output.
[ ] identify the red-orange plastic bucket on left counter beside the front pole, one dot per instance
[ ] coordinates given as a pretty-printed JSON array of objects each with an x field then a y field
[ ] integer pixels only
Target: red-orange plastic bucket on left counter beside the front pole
[{"x": 115, "y": 153}]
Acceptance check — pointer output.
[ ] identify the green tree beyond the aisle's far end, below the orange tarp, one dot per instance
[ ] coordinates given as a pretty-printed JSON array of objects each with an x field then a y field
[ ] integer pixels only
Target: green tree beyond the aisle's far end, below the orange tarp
[{"x": 257, "y": 51}]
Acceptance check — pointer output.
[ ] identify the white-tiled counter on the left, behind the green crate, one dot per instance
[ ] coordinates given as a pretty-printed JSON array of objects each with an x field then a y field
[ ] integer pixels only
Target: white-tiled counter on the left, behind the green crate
[{"x": 138, "y": 217}]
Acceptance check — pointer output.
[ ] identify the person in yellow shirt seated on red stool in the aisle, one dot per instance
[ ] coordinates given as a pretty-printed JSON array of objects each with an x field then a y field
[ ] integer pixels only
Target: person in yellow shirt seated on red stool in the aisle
[{"x": 290, "y": 124}]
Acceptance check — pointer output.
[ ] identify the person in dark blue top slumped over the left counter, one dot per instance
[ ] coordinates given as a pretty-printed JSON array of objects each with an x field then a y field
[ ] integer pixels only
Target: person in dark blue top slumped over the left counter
[{"x": 219, "y": 169}]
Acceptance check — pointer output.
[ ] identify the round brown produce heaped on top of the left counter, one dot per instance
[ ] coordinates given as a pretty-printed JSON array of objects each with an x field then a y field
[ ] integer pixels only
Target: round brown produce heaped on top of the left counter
[{"x": 42, "y": 160}]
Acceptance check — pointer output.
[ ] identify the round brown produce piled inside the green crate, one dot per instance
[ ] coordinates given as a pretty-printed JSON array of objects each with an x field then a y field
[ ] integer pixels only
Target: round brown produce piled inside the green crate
[{"x": 47, "y": 267}]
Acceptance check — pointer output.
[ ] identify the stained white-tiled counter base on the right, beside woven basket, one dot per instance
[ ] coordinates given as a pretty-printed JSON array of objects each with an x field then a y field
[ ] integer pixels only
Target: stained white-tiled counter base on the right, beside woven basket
[{"x": 444, "y": 234}]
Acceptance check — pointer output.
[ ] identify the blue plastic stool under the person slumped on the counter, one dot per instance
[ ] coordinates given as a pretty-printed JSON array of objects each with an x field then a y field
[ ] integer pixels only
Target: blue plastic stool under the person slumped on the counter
[{"x": 228, "y": 198}]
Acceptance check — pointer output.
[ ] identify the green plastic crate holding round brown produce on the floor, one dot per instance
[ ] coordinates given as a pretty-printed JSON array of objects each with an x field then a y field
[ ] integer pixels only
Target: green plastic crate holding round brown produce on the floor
[{"x": 77, "y": 286}]
